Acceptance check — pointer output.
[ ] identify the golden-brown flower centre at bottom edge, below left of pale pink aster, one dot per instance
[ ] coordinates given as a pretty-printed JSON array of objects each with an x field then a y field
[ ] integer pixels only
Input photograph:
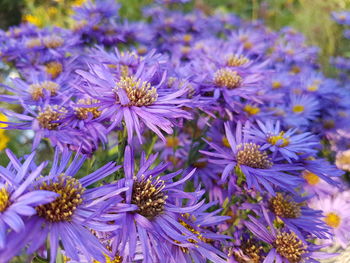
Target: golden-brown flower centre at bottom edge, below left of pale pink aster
[{"x": 288, "y": 245}]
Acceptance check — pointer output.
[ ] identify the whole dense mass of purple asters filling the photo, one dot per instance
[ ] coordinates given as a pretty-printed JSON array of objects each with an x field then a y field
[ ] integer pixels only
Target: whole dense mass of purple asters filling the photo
[{"x": 187, "y": 138}]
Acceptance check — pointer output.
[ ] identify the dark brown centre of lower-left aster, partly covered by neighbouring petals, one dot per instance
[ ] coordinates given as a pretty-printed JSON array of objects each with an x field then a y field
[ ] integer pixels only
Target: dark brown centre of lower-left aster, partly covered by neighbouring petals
[{"x": 63, "y": 207}]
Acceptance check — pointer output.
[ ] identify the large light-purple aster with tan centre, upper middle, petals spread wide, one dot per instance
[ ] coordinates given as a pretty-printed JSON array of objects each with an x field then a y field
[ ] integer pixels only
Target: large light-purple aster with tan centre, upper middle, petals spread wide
[{"x": 135, "y": 100}]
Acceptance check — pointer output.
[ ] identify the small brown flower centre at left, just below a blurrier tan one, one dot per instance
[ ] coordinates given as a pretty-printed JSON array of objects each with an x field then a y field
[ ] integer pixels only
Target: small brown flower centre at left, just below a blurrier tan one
[{"x": 48, "y": 117}]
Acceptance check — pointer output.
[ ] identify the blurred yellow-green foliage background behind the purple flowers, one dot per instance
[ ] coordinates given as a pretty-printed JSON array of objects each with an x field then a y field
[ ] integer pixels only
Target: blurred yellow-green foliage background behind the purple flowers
[{"x": 311, "y": 17}]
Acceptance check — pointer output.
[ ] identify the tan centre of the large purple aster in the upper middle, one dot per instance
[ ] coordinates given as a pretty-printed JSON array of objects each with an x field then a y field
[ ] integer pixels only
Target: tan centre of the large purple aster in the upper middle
[{"x": 140, "y": 93}]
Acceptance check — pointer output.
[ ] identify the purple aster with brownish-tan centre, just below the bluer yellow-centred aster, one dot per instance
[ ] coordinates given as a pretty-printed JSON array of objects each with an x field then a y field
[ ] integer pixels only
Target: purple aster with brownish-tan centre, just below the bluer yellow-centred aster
[{"x": 258, "y": 168}]
